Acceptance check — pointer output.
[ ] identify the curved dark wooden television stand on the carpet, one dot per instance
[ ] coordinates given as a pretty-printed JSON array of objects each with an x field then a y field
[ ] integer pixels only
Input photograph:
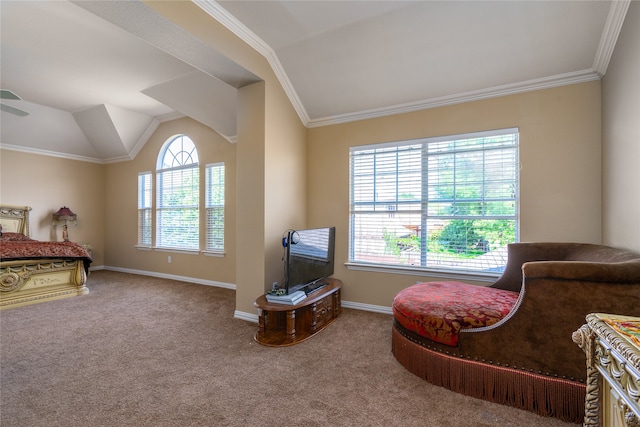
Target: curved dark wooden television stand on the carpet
[{"x": 283, "y": 325}]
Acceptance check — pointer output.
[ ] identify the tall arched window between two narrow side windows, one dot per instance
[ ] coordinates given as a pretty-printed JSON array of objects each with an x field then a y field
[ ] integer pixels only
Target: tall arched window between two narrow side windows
[{"x": 178, "y": 195}]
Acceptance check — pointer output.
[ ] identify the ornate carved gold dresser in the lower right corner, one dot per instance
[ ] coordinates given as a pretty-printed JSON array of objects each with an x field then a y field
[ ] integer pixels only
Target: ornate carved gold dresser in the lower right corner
[{"x": 612, "y": 346}]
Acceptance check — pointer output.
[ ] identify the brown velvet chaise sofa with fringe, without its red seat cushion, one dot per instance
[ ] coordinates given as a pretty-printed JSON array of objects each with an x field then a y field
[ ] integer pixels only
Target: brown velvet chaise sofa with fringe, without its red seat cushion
[{"x": 528, "y": 359}]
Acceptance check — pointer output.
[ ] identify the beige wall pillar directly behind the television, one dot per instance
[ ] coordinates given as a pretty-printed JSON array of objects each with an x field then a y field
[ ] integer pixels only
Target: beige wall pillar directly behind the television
[{"x": 271, "y": 187}]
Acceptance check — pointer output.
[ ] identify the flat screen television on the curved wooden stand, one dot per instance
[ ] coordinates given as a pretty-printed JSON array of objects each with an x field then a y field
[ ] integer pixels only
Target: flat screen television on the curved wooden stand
[{"x": 309, "y": 258}]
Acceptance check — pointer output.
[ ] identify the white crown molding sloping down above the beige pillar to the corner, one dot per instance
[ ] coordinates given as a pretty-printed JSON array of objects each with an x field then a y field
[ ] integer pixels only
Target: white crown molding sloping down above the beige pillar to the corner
[{"x": 244, "y": 33}]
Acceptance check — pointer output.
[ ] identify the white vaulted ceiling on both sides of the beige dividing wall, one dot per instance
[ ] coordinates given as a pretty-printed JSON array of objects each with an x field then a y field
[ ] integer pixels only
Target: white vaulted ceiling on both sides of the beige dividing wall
[{"x": 98, "y": 77}]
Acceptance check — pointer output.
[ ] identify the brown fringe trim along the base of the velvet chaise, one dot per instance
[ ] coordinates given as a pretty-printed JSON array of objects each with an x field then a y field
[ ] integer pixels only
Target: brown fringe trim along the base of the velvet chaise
[{"x": 544, "y": 395}]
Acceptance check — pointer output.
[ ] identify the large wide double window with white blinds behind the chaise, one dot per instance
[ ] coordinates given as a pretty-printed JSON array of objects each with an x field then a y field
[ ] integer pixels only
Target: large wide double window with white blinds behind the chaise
[{"x": 445, "y": 204}]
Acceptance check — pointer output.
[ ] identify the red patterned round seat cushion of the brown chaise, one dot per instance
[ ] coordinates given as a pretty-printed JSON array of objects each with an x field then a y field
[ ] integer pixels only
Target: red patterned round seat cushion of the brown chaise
[{"x": 438, "y": 310}]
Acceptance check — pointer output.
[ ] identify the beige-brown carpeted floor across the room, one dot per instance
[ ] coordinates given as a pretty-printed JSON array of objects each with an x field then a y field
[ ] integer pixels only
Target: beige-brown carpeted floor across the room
[{"x": 142, "y": 351}]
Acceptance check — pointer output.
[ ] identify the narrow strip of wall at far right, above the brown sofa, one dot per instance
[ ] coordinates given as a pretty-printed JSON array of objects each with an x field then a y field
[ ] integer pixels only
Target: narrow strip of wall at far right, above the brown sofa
[{"x": 621, "y": 138}]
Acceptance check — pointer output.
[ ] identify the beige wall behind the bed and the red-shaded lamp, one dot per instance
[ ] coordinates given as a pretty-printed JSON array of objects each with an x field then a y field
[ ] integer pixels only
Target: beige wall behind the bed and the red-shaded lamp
[{"x": 46, "y": 184}]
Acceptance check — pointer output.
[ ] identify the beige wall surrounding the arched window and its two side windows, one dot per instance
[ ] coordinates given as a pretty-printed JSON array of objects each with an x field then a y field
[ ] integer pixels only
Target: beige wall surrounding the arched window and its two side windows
[{"x": 121, "y": 206}]
